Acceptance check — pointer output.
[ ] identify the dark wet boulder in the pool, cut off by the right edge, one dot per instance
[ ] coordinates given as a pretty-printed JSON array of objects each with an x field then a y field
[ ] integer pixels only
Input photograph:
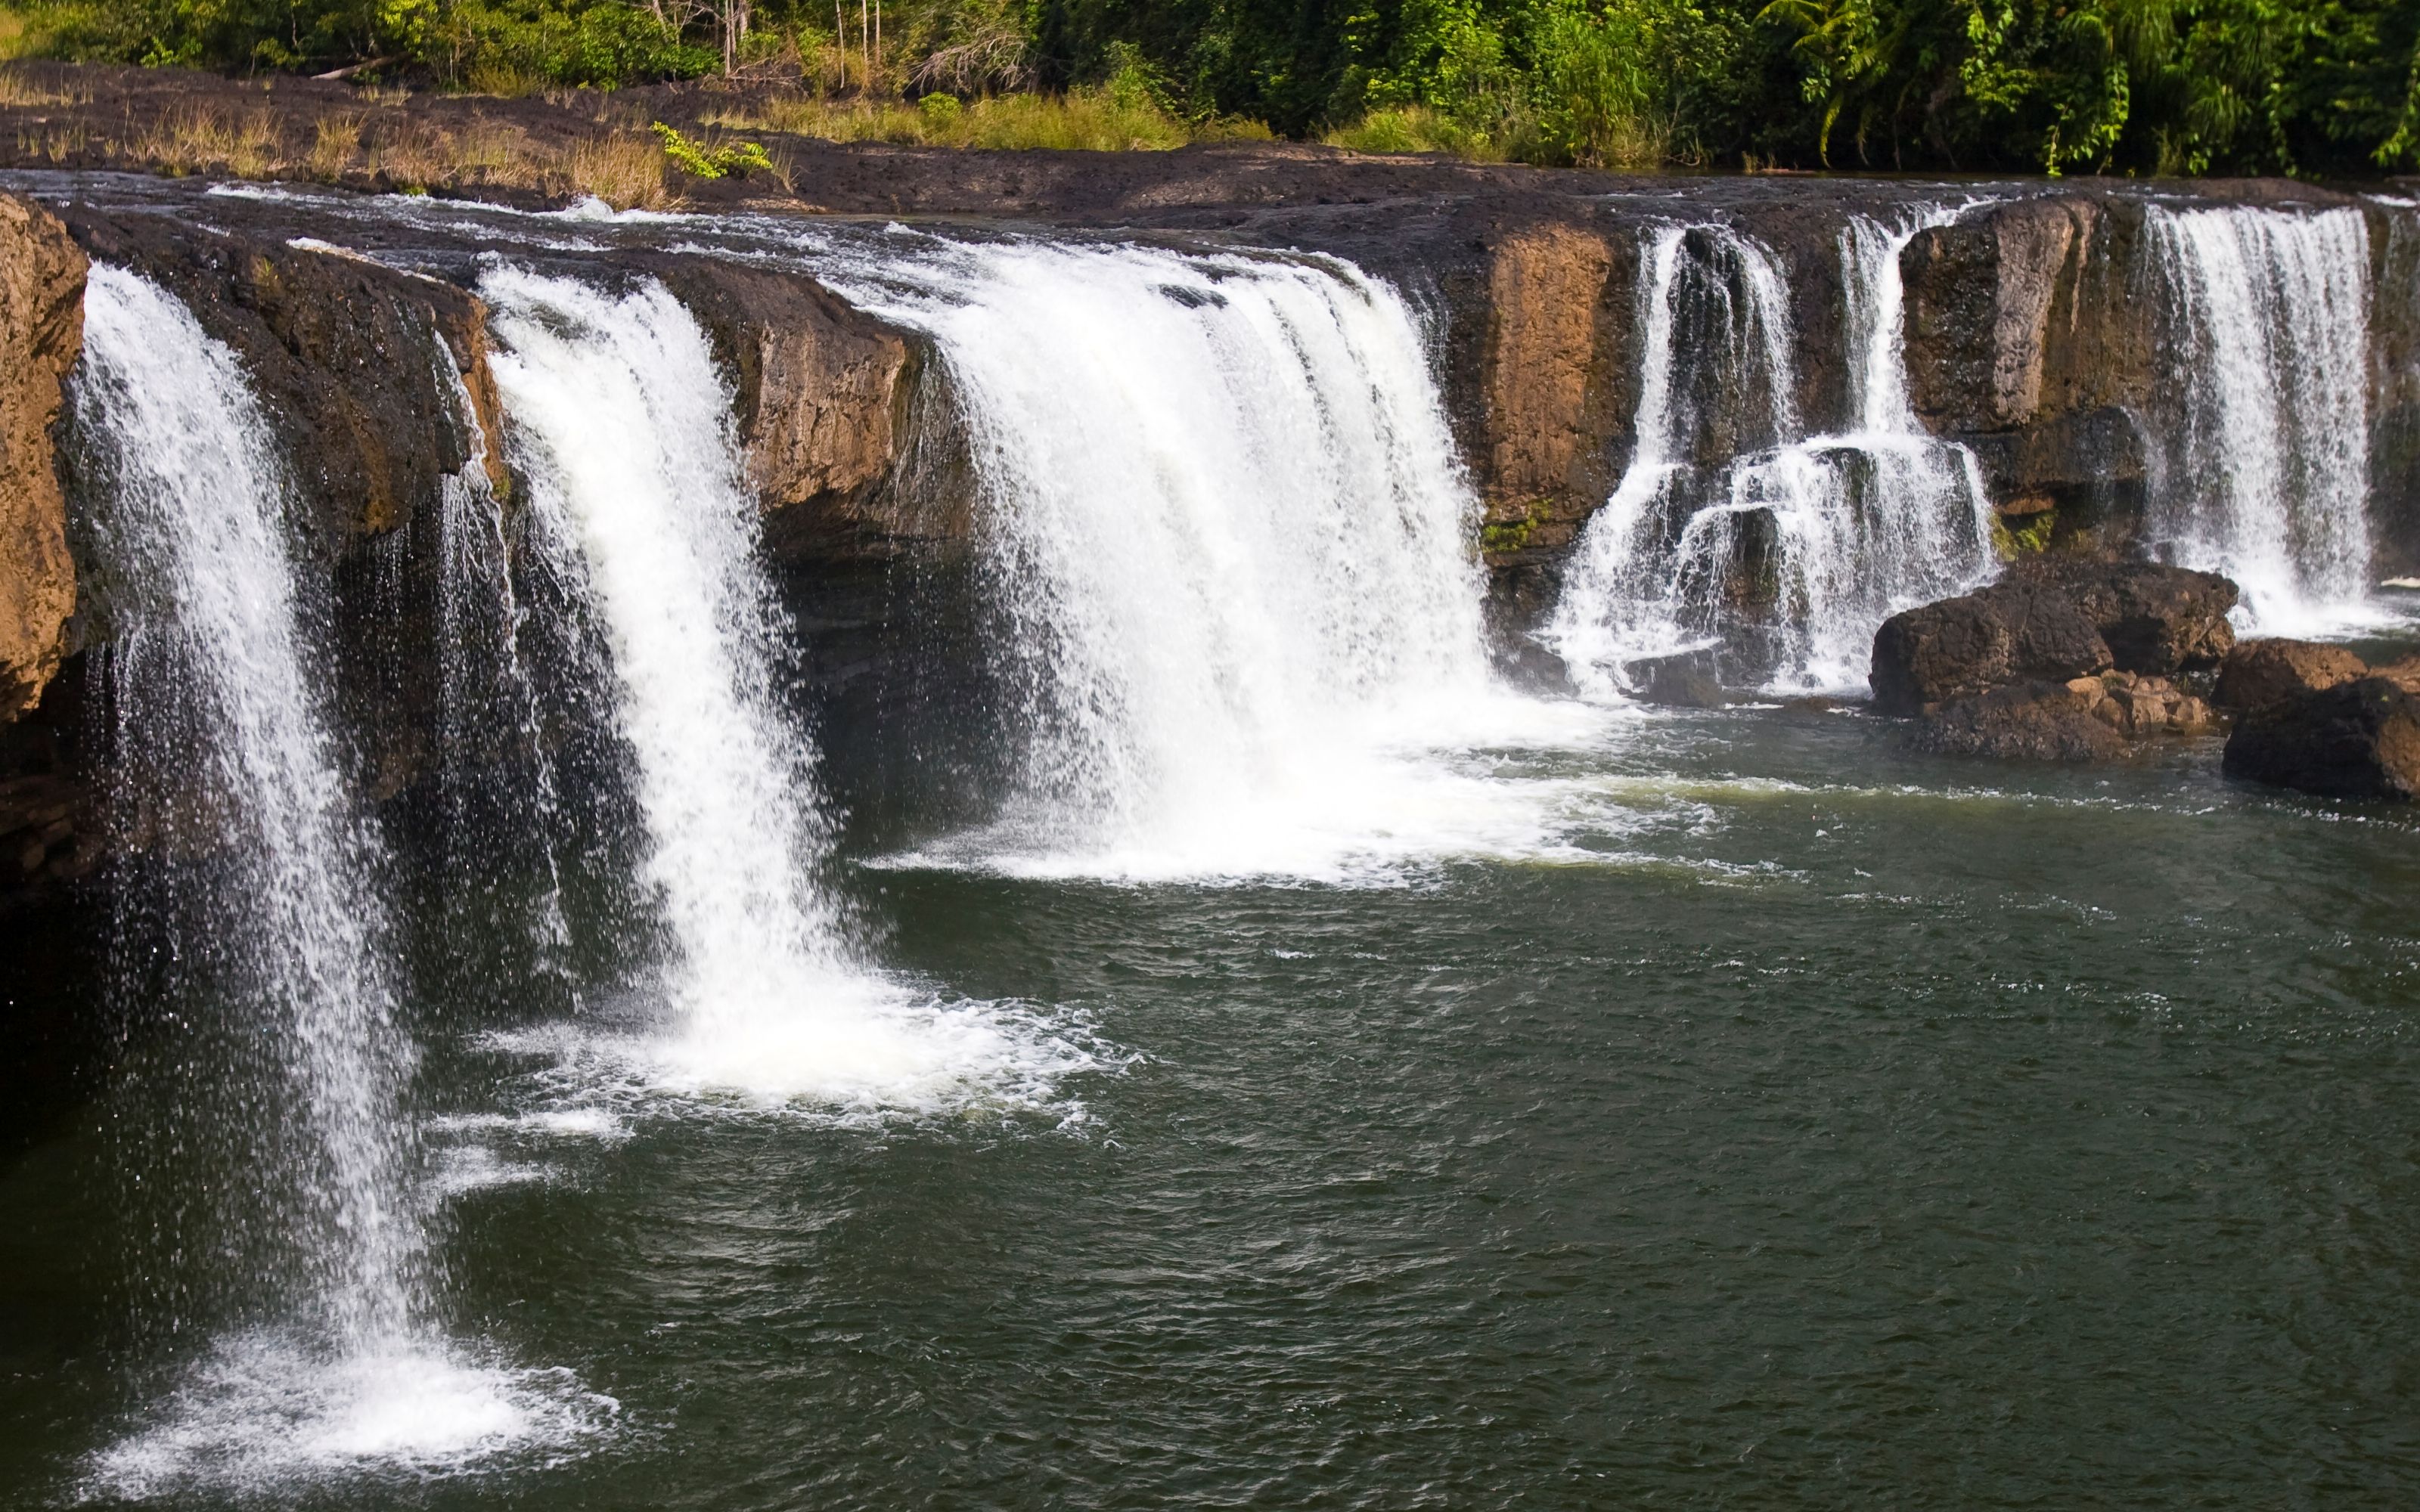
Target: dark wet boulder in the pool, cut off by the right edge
[{"x": 2351, "y": 741}]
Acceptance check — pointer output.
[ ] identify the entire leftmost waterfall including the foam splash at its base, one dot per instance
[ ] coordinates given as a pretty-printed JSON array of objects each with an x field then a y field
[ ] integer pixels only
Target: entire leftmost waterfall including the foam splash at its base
[{"x": 330, "y": 1356}]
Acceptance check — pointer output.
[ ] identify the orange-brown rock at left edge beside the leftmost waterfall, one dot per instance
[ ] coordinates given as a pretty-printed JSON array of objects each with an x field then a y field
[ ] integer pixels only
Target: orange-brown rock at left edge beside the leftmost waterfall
[{"x": 42, "y": 328}]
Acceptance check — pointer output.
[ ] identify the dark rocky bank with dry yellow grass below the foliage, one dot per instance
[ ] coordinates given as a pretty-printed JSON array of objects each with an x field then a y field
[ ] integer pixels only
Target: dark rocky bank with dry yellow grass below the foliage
[{"x": 580, "y": 142}]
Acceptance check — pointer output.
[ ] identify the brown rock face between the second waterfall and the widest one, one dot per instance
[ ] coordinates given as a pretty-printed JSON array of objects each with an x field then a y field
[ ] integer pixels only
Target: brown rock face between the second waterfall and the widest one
[{"x": 829, "y": 405}]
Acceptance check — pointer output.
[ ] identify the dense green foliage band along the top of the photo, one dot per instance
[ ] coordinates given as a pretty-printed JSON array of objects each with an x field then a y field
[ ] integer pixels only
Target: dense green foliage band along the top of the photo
[{"x": 2061, "y": 86}]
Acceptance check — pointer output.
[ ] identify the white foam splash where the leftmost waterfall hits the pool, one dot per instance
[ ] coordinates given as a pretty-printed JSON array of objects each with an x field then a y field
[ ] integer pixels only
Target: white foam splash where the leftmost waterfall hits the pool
[{"x": 267, "y": 1412}]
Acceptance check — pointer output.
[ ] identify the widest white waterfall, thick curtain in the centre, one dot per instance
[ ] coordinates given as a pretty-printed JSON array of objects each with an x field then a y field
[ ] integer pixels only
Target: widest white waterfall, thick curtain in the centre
[{"x": 1233, "y": 553}]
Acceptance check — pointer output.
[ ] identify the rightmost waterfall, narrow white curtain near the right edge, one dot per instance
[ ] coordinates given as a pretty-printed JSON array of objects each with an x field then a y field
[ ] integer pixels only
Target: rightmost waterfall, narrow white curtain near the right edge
[{"x": 2266, "y": 466}]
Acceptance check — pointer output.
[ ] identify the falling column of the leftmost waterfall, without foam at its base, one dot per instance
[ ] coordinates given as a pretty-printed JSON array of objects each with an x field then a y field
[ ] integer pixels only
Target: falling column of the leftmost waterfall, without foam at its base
[{"x": 226, "y": 768}]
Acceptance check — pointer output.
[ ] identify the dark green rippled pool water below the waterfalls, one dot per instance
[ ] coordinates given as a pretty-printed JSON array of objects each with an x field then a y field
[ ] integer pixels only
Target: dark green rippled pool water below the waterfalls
[{"x": 1869, "y": 1131}]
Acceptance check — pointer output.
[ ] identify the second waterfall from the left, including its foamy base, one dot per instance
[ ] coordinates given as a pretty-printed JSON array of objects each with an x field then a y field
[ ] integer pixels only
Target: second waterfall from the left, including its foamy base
[{"x": 623, "y": 429}]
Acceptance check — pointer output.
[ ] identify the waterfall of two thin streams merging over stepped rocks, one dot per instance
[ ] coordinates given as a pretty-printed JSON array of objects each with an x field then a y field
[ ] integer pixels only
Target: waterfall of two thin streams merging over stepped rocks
[{"x": 1736, "y": 529}]
